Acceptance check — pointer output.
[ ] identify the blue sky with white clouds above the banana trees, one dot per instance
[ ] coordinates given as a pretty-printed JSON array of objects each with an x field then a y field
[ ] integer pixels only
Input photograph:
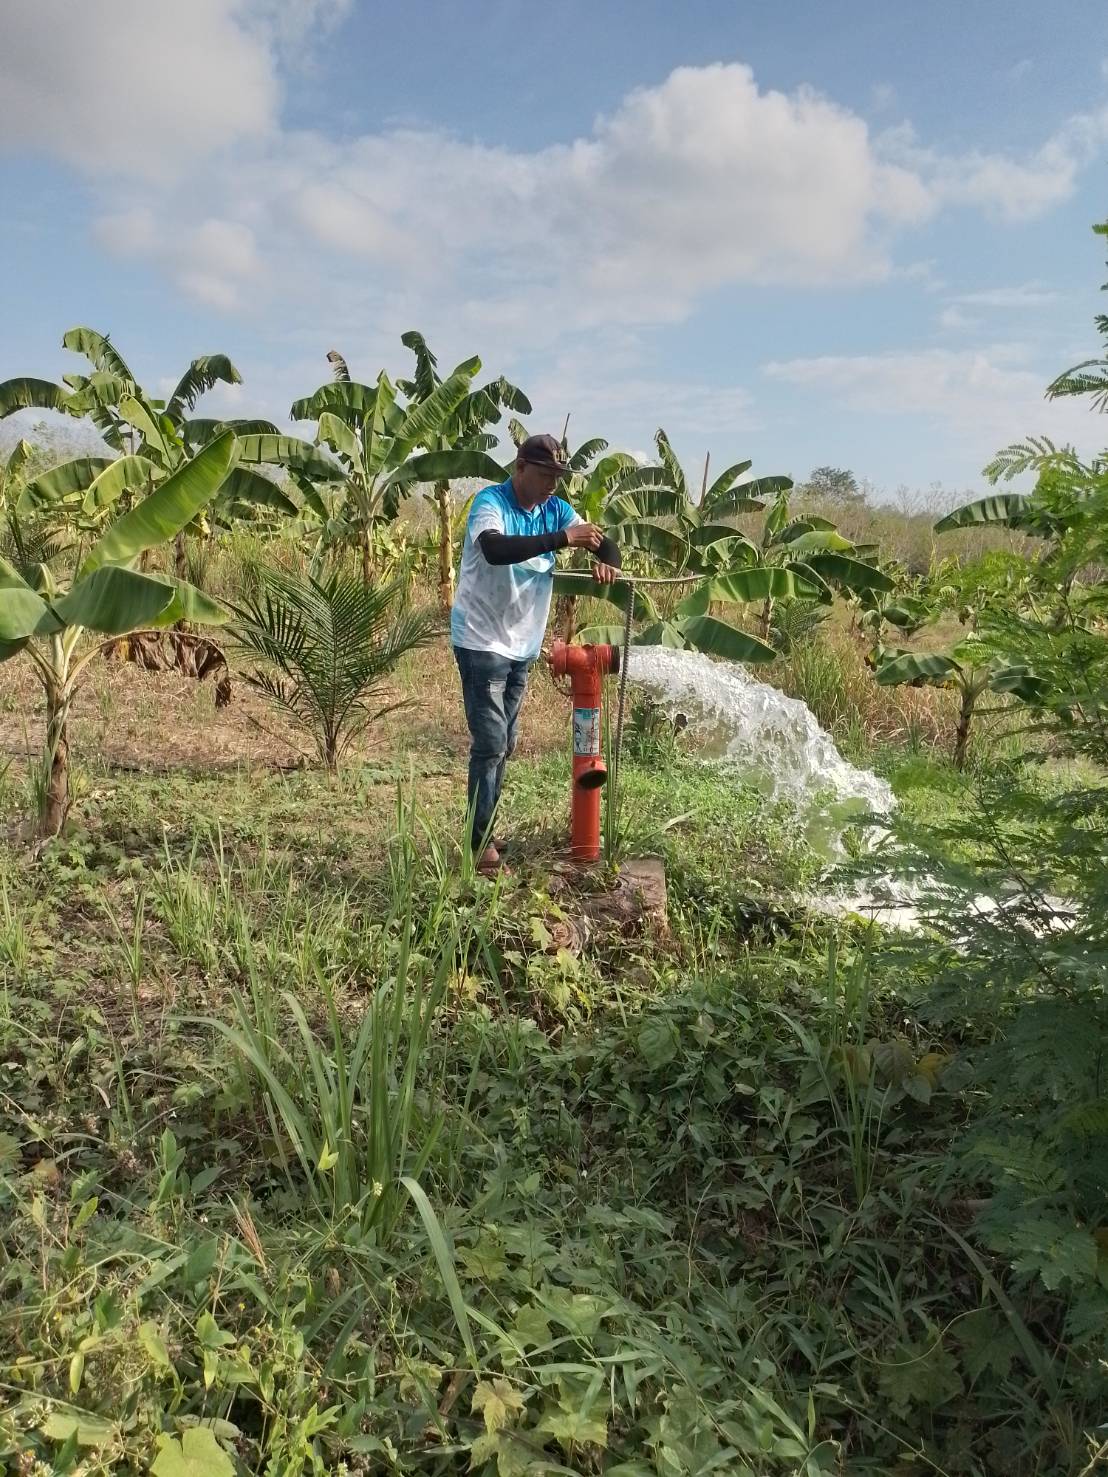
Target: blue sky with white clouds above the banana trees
[{"x": 852, "y": 234}]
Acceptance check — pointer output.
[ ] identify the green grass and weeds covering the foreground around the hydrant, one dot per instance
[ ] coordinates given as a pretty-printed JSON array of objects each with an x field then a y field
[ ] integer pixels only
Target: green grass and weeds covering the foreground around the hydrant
[{"x": 317, "y": 1142}]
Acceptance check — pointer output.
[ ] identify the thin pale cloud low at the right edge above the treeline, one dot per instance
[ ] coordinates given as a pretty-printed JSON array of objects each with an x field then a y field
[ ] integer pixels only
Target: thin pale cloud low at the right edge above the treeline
[{"x": 980, "y": 398}]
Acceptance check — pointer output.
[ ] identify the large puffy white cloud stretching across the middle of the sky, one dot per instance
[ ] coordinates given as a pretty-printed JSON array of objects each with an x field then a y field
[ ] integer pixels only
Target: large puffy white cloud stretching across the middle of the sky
[{"x": 697, "y": 184}]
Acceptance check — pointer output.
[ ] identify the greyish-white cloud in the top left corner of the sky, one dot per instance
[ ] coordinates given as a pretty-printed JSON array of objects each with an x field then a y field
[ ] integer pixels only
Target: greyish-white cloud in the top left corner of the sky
[{"x": 132, "y": 88}]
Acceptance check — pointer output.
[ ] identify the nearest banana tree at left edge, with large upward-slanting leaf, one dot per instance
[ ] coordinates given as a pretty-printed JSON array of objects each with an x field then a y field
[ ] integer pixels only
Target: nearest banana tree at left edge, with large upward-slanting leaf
[{"x": 106, "y": 597}]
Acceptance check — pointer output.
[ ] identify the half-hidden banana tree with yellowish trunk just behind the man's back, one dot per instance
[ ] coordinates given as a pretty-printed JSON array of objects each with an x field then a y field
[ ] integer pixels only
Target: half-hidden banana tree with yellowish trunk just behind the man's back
[{"x": 465, "y": 431}]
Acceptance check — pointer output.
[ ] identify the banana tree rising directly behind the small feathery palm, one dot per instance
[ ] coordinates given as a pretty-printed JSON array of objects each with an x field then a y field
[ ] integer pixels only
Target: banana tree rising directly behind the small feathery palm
[{"x": 377, "y": 444}]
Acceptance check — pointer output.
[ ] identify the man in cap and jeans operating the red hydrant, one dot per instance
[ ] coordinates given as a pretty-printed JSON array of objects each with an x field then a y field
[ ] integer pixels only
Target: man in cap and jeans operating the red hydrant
[{"x": 502, "y": 608}]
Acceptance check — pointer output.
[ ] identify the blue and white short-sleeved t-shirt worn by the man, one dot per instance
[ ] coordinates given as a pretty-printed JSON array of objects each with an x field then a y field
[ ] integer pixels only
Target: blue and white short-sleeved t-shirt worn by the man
[{"x": 505, "y": 608}]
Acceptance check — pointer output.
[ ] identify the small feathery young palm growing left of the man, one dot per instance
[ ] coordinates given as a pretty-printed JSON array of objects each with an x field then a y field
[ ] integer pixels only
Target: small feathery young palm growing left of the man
[{"x": 329, "y": 646}]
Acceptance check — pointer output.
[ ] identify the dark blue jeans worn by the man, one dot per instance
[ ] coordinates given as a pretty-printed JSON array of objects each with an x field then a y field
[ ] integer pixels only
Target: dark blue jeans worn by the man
[{"x": 493, "y": 690}]
